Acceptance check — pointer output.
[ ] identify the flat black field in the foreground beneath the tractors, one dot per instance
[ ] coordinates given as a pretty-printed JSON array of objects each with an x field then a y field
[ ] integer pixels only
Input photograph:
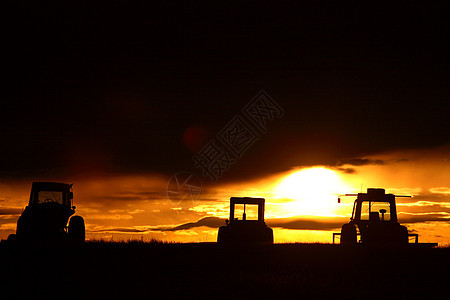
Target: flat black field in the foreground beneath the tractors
[{"x": 130, "y": 270}]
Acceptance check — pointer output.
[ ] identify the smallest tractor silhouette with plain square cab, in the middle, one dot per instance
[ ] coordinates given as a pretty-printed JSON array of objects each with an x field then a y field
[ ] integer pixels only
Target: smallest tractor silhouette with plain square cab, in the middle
[{"x": 245, "y": 231}]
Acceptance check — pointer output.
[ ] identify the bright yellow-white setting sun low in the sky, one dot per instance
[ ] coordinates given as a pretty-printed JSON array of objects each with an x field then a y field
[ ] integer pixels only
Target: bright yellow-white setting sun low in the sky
[{"x": 313, "y": 191}]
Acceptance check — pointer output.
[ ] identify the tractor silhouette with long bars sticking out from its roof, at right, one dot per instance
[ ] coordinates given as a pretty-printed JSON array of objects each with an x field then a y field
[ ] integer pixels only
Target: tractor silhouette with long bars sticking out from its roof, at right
[{"x": 375, "y": 217}]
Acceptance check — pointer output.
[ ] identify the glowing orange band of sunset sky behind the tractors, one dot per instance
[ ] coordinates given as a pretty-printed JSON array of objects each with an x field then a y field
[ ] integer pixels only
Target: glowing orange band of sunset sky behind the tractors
[{"x": 301, "y": 204}]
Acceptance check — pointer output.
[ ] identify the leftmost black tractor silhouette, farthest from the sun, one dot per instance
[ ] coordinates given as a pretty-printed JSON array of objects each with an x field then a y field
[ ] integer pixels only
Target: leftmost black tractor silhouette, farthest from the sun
[{"x": 45, "y": 218}]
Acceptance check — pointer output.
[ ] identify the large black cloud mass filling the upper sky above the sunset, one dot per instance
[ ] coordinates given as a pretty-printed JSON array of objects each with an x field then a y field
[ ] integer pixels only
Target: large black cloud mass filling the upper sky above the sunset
[{"x": 98, "y": 89}]
